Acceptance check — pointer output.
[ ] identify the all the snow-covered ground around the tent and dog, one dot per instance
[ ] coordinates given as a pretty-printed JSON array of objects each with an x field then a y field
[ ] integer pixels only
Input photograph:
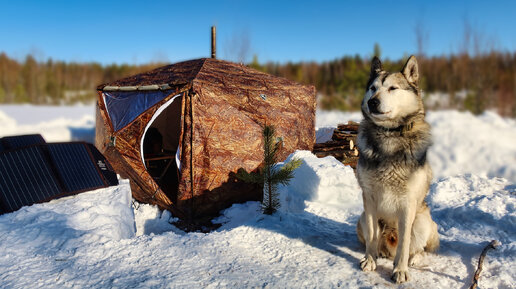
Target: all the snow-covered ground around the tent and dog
[{"x": 100, "y": 239}]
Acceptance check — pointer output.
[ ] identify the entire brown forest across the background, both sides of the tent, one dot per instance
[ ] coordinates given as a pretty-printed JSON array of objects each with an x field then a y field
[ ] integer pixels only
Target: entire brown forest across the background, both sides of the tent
[{"x": 467, "y": 81}]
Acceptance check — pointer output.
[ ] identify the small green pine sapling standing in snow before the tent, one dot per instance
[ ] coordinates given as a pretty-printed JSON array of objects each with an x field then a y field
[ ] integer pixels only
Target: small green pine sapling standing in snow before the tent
[{"x": 270, "y": 176}]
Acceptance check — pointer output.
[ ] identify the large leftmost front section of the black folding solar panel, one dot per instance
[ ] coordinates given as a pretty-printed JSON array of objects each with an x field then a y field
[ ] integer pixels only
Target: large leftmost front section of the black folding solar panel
[{"x": 25, "y": 178}]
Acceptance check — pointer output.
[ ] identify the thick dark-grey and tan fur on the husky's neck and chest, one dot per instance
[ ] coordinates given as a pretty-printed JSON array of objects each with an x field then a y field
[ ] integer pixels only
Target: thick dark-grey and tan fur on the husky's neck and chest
[{"x": 390, "y": 160}]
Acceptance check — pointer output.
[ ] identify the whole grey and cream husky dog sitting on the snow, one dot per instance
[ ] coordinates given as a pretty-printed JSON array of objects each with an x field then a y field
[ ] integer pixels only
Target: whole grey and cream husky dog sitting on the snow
[{"x": 393, "y": 172}]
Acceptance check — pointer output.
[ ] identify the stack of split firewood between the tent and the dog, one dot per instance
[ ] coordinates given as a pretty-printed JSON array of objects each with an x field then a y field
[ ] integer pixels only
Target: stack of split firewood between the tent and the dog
[{"x": 342, "y": 144}]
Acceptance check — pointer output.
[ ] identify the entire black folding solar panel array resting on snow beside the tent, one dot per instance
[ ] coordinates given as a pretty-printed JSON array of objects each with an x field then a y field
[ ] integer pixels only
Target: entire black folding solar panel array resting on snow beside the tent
[{"x": 41, "y": 172}]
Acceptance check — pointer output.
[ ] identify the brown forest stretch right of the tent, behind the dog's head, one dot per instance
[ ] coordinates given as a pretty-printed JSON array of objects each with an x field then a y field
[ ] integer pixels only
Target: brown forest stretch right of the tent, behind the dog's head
[{"x": 465, "y": 82}]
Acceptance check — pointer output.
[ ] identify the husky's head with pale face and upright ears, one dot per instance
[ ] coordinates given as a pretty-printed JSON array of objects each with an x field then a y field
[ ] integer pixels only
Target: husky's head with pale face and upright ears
[{"x": 392, "y": 98}]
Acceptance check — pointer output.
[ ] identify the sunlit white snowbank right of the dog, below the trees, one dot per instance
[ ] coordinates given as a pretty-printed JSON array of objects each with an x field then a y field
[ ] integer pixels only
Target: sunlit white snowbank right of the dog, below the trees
[{"x": 483, "y": 145}]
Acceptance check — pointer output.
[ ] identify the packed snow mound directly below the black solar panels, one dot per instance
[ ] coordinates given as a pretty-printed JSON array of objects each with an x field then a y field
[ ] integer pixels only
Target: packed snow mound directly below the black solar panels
[{"x": 61, "y": 226}]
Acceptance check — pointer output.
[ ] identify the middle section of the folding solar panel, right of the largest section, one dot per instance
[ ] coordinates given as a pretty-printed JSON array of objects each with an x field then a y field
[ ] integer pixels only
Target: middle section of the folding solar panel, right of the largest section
[{"x": 75, "y": 166}]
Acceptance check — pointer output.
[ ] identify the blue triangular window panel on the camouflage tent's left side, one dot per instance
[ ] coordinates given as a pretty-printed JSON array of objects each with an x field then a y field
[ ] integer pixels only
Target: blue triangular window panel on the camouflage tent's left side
[{"x": 124, "y": 106}]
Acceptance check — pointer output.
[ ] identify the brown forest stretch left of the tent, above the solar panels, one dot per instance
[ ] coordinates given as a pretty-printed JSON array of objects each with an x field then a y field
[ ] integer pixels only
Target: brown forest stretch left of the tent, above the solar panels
[{"x": 57, "y": 82}]
